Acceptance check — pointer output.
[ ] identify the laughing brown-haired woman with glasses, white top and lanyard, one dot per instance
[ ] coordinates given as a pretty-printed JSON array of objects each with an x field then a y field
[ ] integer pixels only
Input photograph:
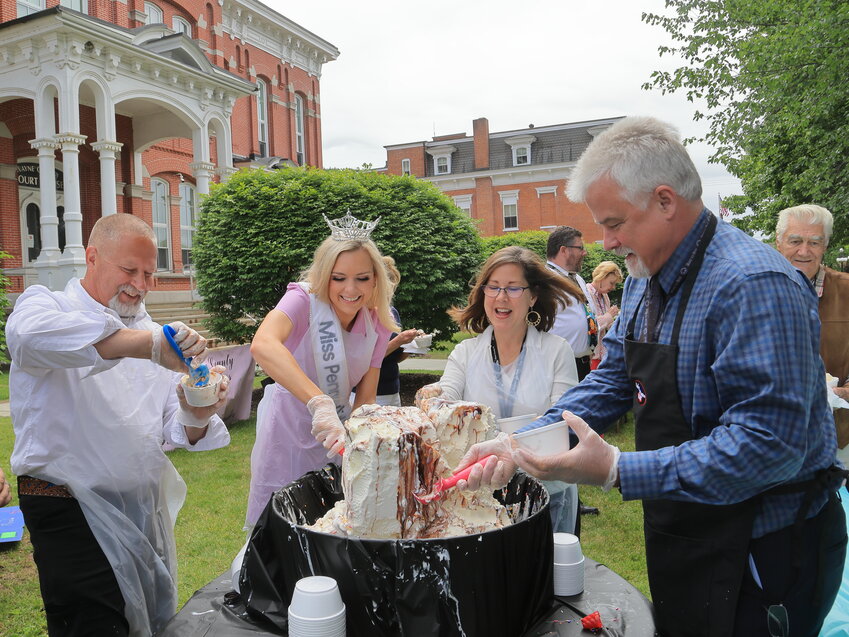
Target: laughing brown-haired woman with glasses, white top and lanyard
[{"x": 514, "y": 365}]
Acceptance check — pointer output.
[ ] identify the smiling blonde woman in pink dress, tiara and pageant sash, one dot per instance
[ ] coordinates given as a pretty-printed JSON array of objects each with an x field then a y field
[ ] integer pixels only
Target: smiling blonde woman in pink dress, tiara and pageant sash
[{"x": 327, "y": 334}]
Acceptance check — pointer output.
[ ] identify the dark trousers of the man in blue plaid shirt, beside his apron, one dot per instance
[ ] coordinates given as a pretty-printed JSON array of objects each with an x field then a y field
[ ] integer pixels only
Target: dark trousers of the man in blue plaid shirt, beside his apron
[{"x": 807, "y": 599}]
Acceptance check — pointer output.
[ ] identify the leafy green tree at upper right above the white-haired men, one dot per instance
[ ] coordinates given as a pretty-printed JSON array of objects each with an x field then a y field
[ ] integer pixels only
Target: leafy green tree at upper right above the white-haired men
[{"x": 772, "y": 75}]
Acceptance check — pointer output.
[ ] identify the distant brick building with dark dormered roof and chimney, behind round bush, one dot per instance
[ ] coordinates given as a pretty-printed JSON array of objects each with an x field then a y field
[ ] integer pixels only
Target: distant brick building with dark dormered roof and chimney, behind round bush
[{"x": 508, "y": 181}]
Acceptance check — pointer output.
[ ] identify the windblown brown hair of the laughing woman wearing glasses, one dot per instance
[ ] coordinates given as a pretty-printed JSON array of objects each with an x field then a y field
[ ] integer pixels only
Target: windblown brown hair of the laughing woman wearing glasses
[{"x": 552, "y": 290}]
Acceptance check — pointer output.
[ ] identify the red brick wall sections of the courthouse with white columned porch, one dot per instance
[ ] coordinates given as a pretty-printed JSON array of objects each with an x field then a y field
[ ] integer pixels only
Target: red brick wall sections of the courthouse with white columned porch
[{"x": 170, "y": 159}]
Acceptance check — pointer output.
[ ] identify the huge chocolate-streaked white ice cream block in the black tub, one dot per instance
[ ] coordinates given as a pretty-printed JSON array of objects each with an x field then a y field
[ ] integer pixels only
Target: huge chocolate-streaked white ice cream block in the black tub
[{"x": 392, "y": 453}]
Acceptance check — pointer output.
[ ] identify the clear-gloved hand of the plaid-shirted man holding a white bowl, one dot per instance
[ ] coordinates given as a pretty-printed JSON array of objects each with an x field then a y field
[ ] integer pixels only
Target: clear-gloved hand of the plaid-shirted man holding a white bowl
[{"x": 592, "y": 461}]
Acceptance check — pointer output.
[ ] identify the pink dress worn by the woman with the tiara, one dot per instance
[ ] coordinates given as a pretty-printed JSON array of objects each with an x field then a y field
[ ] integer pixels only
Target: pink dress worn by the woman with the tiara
[{"x": 285, "y": 449}]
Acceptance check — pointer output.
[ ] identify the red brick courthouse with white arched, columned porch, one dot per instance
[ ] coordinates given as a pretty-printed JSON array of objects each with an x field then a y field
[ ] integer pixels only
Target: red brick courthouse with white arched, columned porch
[{"x": 135, "y": 106}]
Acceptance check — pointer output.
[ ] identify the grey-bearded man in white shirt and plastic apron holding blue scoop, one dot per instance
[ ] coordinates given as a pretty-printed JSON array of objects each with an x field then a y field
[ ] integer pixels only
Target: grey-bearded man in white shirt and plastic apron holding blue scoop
[{"x": 92, "y": 396}]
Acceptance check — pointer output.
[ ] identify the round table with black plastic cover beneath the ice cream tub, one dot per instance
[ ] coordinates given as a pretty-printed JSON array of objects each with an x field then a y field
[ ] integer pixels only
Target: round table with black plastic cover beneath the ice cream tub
[{"x": 217, "y": 611}]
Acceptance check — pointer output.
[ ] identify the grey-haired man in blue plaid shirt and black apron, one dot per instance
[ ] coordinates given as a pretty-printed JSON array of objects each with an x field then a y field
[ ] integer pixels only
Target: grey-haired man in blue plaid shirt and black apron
[{"x": 717, "y": 352}]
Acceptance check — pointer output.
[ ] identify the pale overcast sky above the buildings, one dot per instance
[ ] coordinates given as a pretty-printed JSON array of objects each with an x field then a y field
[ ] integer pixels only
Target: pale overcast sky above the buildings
[{"x": 409, "y": 70}]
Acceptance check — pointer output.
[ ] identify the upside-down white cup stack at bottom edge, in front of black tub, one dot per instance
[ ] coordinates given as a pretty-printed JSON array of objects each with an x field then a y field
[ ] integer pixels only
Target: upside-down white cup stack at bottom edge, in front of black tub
[{"x": 316, "y": 609}]
